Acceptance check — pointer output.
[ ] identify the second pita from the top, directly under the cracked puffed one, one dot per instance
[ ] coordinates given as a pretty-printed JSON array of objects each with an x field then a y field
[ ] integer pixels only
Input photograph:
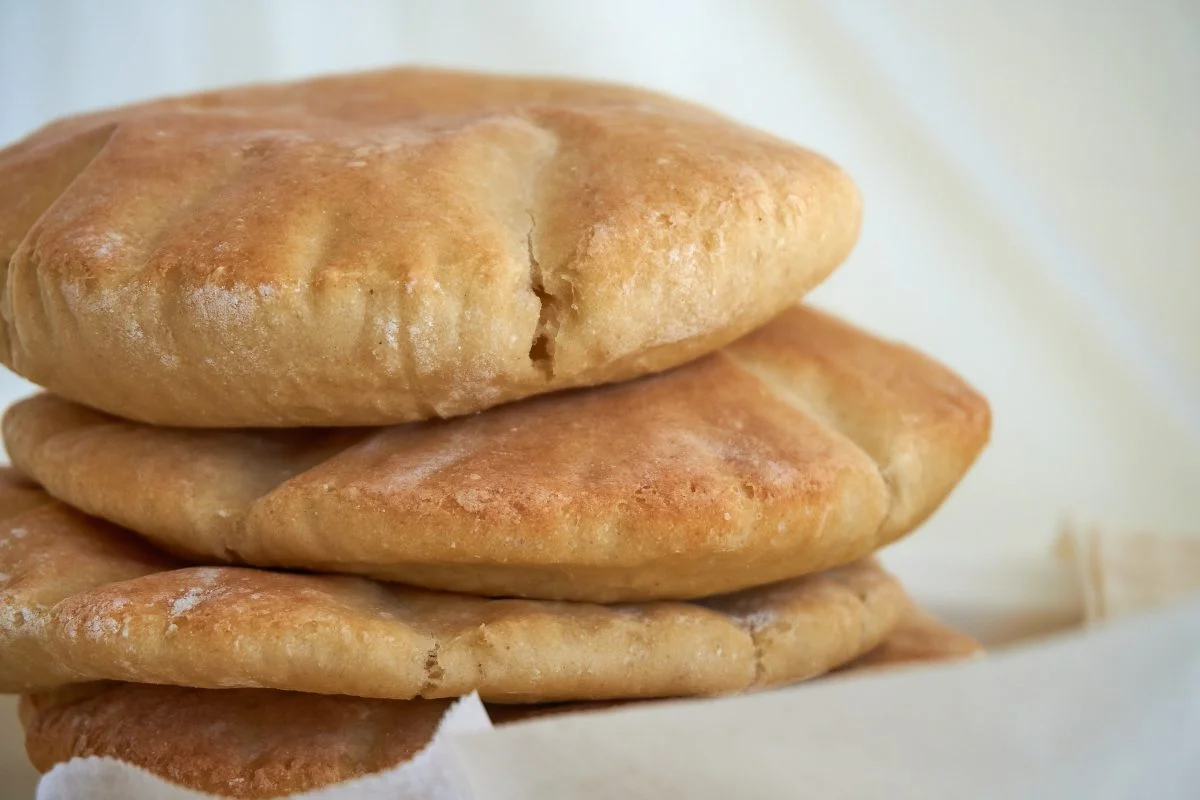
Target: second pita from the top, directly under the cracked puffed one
[{"x": 805, "y": 446}]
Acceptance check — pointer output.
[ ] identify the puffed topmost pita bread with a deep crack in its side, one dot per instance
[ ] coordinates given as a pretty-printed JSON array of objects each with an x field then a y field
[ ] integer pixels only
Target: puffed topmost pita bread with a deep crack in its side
[{"x": 394, "y": 246}]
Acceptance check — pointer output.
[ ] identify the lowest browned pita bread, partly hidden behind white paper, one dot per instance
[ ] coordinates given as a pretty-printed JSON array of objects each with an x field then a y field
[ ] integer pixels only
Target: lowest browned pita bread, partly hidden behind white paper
[{"x": 261, "y": 743}]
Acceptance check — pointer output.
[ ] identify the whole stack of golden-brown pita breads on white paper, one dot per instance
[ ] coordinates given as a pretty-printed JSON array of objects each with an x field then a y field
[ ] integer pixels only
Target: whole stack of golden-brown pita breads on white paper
[{"x": 373, "y": 392}]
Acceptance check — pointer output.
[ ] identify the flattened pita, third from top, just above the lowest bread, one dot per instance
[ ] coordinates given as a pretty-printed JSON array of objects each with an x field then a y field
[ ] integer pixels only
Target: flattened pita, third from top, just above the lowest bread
[{"x": 82, "y": 600}]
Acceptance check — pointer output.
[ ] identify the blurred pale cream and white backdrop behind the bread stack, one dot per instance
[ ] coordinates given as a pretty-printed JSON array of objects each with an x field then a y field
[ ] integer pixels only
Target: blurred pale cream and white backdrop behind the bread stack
[{"x": 1029, "y": 169}]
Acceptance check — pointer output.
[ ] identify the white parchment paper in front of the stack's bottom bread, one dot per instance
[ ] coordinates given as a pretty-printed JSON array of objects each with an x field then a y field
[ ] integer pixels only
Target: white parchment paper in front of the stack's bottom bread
[{"x": 1108, "y": 713}]
